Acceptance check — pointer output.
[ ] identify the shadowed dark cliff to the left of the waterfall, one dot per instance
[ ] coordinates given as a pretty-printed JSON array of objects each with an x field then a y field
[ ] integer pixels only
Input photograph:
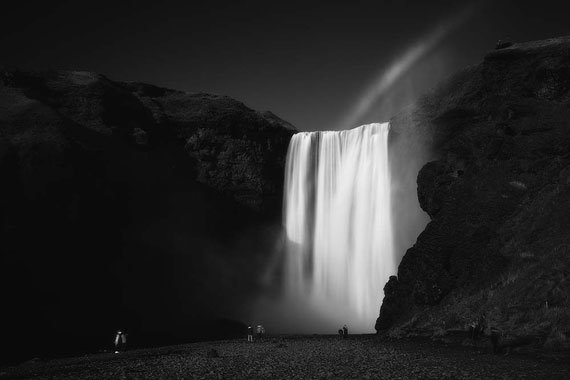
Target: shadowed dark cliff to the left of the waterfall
[{"x": 129, "y": 206}]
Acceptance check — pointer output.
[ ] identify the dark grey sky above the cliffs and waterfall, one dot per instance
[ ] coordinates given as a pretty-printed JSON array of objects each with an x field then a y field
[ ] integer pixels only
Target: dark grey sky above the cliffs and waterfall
[{"x": 309, "y": 62}]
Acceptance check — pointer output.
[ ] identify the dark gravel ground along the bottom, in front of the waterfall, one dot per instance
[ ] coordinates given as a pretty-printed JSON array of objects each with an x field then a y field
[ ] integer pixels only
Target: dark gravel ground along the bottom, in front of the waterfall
[{"x": 306, "y": 357}]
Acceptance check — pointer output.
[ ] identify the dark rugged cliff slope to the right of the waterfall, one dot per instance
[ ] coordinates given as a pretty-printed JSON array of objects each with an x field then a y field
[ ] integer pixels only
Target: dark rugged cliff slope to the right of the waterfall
[{"x": 498, "y": 195}]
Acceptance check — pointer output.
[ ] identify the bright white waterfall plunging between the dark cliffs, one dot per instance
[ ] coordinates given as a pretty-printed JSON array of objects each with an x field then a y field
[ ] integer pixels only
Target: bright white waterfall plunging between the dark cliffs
[{"x": 337, "y": 219}]
